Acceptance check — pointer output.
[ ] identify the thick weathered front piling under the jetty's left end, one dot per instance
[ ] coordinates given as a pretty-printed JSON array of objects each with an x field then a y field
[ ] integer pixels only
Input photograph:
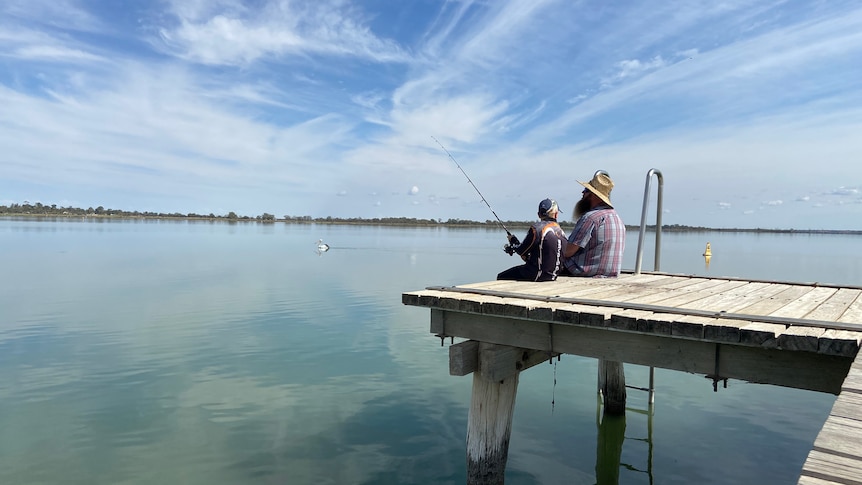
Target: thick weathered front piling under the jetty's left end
[{"x": 489, "y": 428}]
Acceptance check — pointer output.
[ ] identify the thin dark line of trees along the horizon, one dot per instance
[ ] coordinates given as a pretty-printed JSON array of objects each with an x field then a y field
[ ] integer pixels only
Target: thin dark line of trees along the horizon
[{"x": 53, "y": 210}]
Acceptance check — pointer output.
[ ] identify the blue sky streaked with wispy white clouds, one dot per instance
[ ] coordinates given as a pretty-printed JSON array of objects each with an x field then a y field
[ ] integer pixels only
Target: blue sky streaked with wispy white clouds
[{"x": 751, "y": 110}]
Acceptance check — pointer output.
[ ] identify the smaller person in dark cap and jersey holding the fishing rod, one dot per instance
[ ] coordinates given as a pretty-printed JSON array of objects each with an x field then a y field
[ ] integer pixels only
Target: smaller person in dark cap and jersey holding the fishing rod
[{"x": 541, "y": 250}]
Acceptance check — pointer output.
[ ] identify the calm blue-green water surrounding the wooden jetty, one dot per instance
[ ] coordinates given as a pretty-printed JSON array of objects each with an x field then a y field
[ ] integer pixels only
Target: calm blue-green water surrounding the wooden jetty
[{"x": 209, "y": 353}]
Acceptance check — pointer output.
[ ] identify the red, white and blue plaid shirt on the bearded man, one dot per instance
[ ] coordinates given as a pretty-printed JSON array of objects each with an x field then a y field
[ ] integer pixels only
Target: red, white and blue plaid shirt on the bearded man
[{"x": 601, "y": 236}]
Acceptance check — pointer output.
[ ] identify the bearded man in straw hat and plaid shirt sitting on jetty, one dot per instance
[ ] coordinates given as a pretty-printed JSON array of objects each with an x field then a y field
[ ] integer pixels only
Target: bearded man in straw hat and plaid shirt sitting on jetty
[{"x": 595, "y": 246}]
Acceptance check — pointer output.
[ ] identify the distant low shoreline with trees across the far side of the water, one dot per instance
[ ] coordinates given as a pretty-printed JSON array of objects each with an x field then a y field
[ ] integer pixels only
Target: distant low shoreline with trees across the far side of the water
[{"x": 6, "y": 213}]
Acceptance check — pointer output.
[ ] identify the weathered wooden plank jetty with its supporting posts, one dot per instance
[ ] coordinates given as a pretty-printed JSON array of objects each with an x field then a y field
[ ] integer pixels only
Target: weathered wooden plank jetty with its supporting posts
[{"x": 800, "y": 335}]
